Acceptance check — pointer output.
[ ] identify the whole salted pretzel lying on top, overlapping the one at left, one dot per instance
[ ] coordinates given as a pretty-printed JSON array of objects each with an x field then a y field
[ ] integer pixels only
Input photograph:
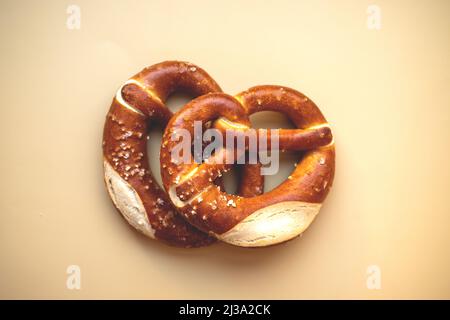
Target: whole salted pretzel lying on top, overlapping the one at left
[{"x": 267, "y": 219}]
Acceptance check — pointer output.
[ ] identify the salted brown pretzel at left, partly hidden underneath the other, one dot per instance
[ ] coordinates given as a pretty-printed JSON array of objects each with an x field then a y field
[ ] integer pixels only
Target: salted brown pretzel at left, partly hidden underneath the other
[{"x": 138, "y": 104}]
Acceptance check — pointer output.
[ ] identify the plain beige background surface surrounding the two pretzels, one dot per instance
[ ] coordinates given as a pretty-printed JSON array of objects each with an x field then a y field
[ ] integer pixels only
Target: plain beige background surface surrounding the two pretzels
[{"x": 386, "y": 94}]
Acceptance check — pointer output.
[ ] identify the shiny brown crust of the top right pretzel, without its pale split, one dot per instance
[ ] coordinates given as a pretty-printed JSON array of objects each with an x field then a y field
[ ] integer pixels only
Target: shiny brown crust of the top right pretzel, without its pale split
[{"x": 218, "y": 211}]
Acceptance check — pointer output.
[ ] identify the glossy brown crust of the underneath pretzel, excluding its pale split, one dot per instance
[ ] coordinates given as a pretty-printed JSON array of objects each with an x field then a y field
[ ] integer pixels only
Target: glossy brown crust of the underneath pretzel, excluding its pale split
[{"x": 125, "y": 142}]
